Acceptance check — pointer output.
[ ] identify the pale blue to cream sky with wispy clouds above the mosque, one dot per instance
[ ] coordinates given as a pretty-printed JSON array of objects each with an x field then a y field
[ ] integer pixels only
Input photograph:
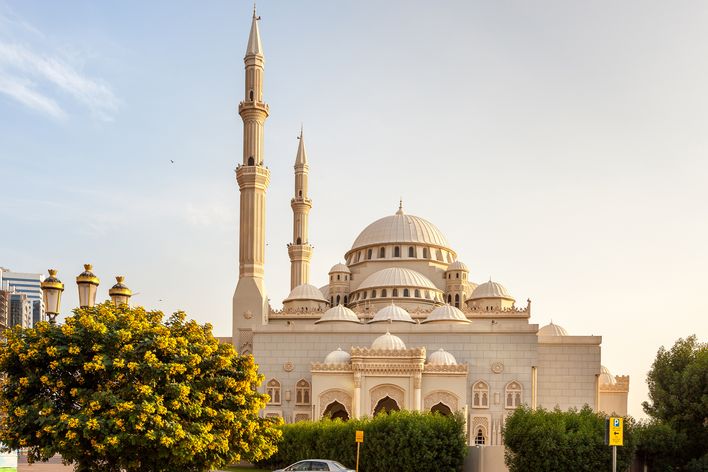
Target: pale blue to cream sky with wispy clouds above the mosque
[{"x": 562, "y": 147}]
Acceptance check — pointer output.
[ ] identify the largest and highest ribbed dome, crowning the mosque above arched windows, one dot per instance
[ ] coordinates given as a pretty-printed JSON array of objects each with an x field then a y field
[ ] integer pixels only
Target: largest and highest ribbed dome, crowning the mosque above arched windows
[{"x": 400, "y": 228}]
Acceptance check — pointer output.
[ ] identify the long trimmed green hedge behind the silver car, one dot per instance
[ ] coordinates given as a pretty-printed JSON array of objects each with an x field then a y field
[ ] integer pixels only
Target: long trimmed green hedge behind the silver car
[{"x": 398, "y": 441}]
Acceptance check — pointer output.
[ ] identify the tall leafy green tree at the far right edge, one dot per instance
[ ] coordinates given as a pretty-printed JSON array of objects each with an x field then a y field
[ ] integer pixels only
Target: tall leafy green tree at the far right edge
[{"x": 678, "y": 394}]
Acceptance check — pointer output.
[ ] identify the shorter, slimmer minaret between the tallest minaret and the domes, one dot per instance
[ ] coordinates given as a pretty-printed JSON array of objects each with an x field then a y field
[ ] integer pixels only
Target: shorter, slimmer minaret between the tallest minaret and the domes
[{"x": 300, "y": 250}]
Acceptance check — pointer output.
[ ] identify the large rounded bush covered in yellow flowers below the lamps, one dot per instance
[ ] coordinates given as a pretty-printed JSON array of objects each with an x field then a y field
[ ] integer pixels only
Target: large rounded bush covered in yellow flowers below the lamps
[{"x": 116, "y": 388}]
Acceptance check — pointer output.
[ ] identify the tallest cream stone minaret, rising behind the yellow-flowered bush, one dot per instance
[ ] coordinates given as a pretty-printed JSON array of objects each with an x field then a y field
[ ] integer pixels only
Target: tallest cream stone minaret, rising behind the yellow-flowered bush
[{"x": 250, "y": 303}]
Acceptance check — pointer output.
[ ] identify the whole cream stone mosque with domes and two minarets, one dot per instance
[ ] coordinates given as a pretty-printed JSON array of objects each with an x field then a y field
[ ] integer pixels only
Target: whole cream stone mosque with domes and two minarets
[{"x": 401, "y": 324}]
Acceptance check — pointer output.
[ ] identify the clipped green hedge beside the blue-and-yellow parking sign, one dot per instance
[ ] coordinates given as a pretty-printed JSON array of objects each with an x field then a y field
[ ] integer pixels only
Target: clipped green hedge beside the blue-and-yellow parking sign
[{"x": 559, "y": 441}]
